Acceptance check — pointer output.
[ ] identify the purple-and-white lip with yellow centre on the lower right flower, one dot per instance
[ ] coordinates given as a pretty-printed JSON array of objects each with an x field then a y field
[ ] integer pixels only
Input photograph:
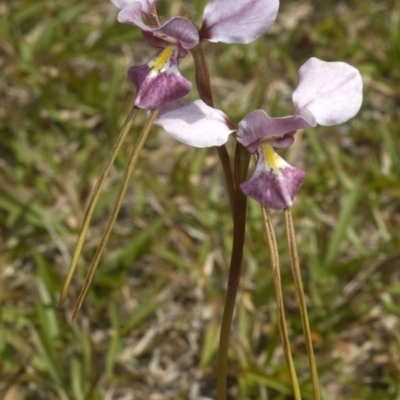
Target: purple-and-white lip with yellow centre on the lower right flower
[{"x": 274, "y": 182}]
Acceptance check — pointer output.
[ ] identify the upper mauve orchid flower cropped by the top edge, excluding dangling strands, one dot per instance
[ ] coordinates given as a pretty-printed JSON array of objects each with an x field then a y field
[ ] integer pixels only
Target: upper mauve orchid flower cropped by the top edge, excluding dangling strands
[{"x": 159, "y": 81}]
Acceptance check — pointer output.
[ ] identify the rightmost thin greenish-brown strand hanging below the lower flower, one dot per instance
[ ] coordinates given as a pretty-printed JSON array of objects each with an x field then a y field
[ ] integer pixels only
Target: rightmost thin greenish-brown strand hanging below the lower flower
[{"x": 294, "y": 259}]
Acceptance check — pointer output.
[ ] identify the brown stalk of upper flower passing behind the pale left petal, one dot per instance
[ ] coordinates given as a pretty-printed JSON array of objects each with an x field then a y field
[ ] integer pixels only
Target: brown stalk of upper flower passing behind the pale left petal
[{"x": 204, "y": 89}]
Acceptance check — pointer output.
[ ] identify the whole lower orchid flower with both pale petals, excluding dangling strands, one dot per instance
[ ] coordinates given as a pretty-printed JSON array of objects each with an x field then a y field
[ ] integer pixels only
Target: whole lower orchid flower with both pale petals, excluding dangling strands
[{"x": 328, "y": 93}]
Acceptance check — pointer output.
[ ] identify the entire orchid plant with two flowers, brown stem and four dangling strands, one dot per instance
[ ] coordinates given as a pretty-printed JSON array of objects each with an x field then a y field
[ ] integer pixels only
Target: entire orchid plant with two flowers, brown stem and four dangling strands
[{"x": 328, "y": 93}]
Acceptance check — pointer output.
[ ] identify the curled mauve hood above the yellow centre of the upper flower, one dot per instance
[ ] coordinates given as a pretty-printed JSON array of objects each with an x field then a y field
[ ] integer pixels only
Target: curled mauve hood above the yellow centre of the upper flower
[{"x": 177, "y": 30}]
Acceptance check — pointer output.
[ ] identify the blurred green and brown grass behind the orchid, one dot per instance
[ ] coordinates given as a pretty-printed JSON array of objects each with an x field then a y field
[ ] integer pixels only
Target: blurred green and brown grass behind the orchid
[{"x": 149, "y": 326}]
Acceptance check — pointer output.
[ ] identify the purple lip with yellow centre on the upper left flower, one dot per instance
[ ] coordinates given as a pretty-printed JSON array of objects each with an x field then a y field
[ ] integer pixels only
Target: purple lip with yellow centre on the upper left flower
[{"x": 159, "y": 82}]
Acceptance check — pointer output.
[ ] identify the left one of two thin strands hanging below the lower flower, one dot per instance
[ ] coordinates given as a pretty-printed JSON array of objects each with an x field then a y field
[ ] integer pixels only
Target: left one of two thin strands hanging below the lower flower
[{"x": 274, "y": 258}]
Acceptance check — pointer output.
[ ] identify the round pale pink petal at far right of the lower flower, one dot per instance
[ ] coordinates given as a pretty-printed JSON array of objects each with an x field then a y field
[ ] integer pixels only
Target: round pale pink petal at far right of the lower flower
[{"x": 331, "y": 91}]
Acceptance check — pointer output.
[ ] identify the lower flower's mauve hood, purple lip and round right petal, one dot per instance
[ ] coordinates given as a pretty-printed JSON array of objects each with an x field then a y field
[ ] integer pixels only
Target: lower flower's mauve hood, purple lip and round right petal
[{"x": 328, "y": 93}]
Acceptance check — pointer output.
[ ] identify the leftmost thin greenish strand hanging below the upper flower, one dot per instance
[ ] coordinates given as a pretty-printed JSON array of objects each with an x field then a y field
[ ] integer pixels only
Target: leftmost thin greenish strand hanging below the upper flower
[{"x": 94, "y": 198}]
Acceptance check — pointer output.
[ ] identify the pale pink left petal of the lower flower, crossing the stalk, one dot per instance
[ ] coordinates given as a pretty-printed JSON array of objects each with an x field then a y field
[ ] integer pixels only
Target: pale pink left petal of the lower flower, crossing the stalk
[{"x": 195, "y": 124}]
